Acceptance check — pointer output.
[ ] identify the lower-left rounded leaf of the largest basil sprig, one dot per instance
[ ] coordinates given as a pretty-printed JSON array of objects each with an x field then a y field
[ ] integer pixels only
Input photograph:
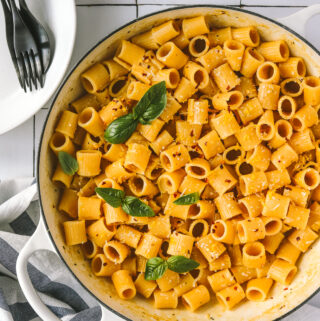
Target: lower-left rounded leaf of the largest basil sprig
[{"x": 121, "y": 129}]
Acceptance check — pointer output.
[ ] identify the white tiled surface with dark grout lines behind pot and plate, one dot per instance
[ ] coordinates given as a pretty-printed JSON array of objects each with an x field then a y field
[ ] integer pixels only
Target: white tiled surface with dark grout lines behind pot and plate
[{"x": 97, "y": 18}]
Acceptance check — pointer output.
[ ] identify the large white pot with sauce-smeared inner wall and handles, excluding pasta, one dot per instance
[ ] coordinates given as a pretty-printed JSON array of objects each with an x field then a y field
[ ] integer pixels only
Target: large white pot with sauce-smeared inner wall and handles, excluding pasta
[{"x": 49, "y": 234}]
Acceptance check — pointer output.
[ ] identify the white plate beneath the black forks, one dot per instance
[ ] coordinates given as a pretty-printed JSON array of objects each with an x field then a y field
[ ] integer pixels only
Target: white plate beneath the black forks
[{"x": 59, "y": 19}]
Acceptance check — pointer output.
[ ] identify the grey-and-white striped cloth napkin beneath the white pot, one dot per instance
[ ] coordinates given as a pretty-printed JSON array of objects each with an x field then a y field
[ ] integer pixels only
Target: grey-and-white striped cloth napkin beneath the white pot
[{"x": 19, "y": 215}]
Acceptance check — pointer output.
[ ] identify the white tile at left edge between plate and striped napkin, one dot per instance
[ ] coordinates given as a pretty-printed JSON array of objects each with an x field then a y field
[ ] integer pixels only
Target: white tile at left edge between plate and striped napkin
[{"x": 16, "y": 156}]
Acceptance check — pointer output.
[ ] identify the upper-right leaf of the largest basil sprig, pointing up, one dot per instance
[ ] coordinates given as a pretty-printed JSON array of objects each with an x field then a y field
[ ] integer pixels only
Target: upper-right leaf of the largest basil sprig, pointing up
[{"x": 151, "y": 104}]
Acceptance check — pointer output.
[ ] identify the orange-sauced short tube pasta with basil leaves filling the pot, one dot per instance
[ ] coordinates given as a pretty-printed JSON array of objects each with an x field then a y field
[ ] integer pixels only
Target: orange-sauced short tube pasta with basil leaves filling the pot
[{"x": 225, "y": 176}]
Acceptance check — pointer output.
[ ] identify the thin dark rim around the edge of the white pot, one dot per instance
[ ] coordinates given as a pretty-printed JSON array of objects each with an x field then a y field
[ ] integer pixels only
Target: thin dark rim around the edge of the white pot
[{"x": 68, "y": 76}]
